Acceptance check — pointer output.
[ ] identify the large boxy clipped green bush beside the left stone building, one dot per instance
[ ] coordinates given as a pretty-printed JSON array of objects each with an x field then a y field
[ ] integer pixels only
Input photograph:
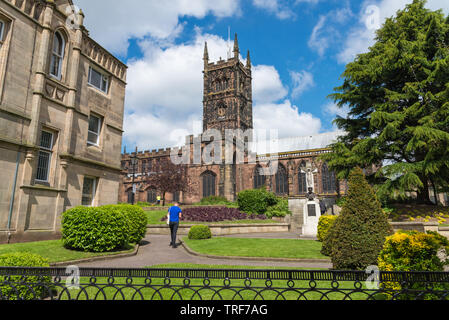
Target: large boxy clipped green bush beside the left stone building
[{"x": 95, "y": 229}]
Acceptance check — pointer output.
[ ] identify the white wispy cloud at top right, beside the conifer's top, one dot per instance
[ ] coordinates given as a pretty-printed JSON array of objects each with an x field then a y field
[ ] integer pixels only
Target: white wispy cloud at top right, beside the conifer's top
[{"x": 361, "y": 37}]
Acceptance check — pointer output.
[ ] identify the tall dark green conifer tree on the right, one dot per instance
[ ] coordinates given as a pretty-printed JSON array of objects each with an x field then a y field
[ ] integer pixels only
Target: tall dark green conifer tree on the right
[{"x": 398, "y": 97}]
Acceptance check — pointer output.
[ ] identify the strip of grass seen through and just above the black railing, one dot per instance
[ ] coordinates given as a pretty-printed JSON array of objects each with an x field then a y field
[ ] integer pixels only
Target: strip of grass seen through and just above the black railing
[{"x": 176, "y": 289}]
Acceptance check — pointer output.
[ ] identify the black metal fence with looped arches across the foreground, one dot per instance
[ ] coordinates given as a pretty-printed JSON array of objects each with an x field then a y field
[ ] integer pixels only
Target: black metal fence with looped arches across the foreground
[{"x": 218, "y": 284}]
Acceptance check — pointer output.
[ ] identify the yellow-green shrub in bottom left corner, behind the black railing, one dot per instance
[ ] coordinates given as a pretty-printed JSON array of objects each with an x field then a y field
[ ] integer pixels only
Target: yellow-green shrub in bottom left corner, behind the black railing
[{"x": 32, "y": 287}]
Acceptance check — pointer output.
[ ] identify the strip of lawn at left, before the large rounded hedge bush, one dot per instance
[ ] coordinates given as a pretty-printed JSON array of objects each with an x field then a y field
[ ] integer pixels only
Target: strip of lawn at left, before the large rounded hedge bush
[{"x": 54, "y": 251}]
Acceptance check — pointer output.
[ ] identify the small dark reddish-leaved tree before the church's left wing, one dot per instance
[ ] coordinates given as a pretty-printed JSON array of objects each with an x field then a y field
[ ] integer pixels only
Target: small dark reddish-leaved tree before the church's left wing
[{"x": 168, "y": 177}]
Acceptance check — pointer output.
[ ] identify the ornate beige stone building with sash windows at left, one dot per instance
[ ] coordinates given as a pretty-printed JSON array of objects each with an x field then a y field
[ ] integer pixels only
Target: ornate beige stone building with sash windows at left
[{"x": 61, "y": 117}]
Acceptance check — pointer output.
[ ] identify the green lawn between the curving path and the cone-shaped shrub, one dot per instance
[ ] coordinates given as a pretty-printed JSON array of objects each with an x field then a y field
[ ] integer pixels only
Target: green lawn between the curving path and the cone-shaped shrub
[{"x": 267, "y": 248}]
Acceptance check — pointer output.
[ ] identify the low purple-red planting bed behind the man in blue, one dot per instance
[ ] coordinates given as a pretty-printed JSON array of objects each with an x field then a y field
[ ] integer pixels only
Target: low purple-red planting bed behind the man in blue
[{"x": 216, "y": 214}]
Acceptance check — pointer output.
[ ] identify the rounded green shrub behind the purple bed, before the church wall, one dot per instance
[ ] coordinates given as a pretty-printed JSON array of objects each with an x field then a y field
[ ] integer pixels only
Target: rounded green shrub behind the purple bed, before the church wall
[{"x": 256, "y": 200}]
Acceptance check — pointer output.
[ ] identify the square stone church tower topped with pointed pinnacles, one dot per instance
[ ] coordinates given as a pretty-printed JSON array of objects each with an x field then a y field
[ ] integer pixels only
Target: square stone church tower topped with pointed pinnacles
[{"x": 227, "y": 102}]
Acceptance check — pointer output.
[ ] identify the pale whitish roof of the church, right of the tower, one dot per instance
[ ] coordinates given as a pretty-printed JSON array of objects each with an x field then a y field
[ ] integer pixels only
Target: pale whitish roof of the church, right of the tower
[{"x": 313, "y": 142}]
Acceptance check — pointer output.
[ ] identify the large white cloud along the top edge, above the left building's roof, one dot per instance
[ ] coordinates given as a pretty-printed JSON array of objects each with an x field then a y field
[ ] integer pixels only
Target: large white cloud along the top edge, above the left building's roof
[{"x": 112, "y": 23}]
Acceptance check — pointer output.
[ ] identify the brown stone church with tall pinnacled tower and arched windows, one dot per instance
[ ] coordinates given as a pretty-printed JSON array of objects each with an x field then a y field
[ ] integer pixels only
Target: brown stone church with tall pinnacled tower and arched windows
[{"x": 227, "y": 104}]
